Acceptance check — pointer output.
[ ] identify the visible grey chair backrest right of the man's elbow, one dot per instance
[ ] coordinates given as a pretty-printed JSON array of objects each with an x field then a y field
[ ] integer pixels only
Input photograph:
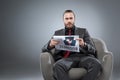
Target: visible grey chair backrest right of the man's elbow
[{"x": 101, "y": 48}]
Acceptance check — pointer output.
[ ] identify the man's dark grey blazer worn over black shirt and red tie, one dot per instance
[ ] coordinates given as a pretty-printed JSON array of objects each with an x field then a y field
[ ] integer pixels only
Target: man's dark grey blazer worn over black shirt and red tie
[{"x": 88, "y": 50}]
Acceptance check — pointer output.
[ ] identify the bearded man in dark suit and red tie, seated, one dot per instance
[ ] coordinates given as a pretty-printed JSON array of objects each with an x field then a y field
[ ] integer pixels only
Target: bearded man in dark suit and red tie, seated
[{"x": 65, "y": 60}]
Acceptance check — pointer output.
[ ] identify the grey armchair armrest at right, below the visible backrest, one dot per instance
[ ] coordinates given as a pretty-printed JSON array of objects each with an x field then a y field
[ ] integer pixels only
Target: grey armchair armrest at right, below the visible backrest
[{"x": 107, "y": 65}]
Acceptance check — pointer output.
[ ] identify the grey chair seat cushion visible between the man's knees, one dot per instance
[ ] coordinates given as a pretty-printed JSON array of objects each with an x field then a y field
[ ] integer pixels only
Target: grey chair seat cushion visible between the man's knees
[{"x": 77, "y": 73}]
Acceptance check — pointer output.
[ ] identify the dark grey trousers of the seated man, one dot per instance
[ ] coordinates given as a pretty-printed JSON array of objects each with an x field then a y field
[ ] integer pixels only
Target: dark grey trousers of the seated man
[{"x": 62, "y": 66}]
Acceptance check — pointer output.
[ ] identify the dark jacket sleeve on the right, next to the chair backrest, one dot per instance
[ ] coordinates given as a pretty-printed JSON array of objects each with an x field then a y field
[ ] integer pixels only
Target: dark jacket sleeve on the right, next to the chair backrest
[{"x": 89, "y": 47}]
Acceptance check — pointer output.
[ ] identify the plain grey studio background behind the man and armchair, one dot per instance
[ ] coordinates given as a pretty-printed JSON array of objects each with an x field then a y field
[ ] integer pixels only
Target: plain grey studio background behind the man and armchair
[{"x": 26, "y": 25}]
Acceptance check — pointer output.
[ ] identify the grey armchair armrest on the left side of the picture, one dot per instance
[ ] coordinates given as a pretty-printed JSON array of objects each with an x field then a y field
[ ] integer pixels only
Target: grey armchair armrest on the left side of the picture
[{"x": 46, "y": 63}]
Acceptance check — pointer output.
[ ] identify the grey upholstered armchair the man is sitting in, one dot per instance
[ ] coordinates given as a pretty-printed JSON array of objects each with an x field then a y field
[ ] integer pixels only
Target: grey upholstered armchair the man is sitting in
[{"x": 104, "y": 56}]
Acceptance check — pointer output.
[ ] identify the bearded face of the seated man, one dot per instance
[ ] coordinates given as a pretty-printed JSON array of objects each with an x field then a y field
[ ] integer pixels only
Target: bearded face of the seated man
[{"x": 69, "y": 19}]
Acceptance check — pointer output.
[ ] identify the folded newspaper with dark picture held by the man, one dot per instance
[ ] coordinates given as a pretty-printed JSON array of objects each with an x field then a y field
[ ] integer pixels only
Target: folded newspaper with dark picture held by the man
[{"x": 68, "y": 43}]
